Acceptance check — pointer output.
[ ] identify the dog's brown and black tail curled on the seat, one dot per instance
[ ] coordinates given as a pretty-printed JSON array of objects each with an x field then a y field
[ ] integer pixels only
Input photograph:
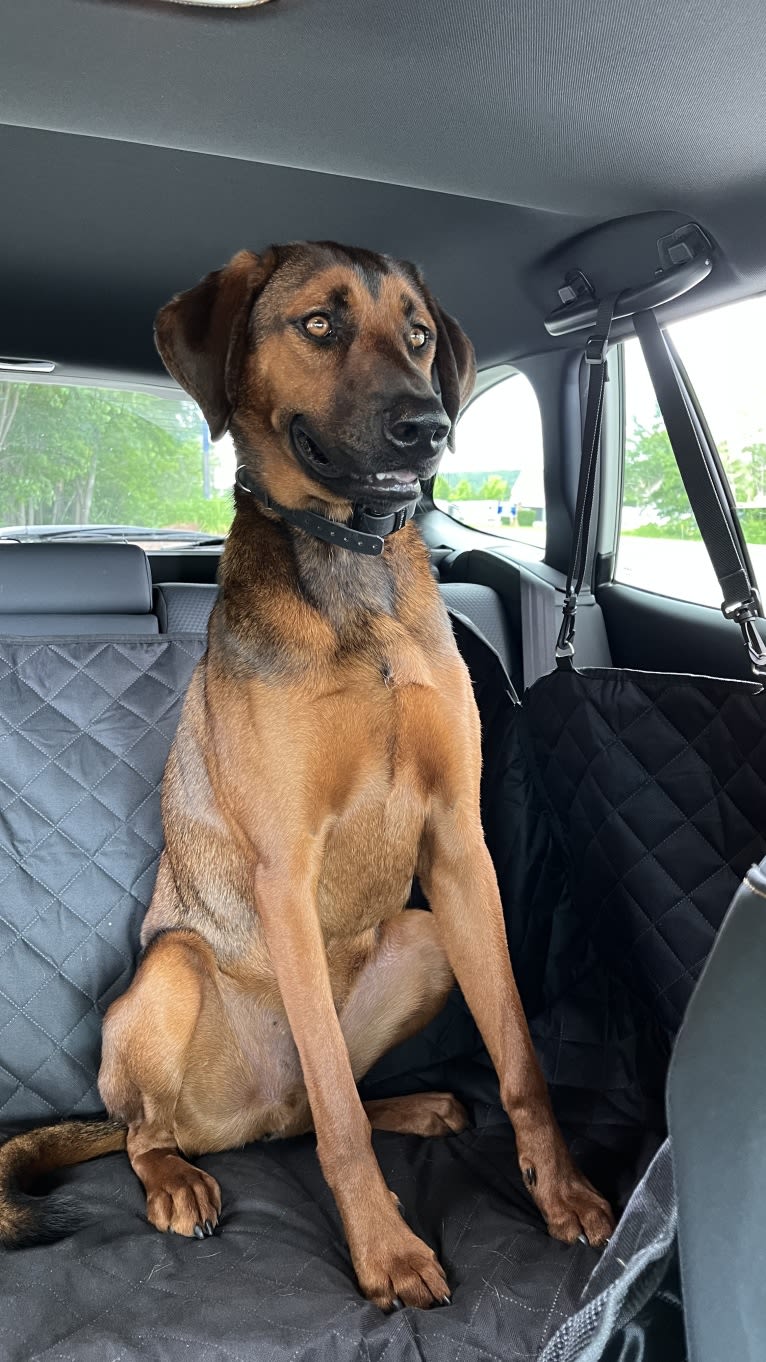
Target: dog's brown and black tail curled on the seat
[{"x": 40, "y": 1220}]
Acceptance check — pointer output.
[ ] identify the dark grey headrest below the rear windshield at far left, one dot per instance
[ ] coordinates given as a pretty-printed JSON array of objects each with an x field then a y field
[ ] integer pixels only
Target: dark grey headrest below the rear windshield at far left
[{"x": 74, "y": 580}]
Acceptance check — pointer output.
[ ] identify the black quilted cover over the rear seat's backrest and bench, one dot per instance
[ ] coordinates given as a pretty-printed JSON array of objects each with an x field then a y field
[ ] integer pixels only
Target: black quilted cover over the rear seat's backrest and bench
[{"x": 85, "y": 731}]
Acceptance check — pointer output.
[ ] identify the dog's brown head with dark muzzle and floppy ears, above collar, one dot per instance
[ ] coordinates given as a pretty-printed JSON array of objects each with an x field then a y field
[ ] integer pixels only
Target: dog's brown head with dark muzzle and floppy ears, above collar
[{"x": 337, "y": 371}]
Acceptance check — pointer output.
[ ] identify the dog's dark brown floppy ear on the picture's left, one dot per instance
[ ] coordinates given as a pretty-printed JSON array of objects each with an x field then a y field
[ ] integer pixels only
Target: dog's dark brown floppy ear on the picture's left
[{"x": 202, "y": 334}]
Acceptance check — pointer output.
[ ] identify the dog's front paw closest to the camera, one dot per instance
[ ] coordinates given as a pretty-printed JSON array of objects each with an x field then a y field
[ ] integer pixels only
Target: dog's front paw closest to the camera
[{"x": 399, "y": 1269}]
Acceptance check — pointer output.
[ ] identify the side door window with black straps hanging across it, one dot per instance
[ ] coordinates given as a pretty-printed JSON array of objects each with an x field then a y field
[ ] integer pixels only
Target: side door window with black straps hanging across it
[{"x": 660, "y": 547}]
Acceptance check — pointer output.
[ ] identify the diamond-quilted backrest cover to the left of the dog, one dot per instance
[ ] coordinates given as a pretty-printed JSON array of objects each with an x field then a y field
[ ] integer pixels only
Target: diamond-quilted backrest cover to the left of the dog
[{"x": 80, "y": 841}]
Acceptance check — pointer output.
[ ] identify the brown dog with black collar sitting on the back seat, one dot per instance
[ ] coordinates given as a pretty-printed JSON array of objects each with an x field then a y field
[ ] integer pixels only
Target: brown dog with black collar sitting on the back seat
[{"x": 329, "y": 751}]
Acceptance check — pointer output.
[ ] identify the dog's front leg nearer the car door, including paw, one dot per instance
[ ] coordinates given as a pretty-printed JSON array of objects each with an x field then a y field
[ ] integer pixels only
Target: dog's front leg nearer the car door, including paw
[{"x": 460, "y": 882}]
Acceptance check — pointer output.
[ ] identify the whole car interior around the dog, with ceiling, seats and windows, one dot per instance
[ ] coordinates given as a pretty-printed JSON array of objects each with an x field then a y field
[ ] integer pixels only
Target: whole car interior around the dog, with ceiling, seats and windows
[{"x": 557, "y": 171}]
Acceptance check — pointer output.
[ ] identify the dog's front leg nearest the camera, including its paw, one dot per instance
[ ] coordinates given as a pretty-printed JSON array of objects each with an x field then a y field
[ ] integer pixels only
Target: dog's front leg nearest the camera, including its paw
[{"x": 392, "y": 1263}]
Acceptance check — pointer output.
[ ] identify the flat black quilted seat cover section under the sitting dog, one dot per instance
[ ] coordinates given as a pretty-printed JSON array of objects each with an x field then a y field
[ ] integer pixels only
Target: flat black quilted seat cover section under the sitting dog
[{"x": 277, "y": 1285}]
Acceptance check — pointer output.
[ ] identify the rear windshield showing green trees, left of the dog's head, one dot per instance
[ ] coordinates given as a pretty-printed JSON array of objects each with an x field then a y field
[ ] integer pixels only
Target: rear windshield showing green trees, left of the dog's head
[{"x": 74, "y": 456}]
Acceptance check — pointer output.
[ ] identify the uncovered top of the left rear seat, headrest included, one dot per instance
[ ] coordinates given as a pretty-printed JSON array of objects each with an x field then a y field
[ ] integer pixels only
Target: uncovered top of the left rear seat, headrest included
[{"x": 76, "y": 589}]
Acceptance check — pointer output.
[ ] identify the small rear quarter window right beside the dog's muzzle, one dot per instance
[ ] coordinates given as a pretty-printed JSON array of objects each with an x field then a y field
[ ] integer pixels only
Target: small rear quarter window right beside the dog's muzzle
[{"x": 493, "y": 480}]
